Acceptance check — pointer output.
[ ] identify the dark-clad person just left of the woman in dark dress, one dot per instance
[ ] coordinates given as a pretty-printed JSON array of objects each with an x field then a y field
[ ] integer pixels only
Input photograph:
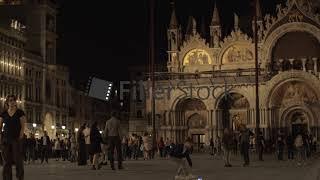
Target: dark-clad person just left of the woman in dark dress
[{"x": 82, "y": 156}]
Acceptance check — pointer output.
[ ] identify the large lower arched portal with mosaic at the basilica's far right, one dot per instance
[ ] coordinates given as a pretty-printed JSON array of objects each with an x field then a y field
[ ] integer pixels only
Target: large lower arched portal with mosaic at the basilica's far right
[{"x": 294, "y": 101}]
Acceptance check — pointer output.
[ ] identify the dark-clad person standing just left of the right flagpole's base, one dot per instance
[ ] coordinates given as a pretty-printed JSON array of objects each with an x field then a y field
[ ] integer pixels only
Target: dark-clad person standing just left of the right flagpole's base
[{"x": 245, "y": 143}]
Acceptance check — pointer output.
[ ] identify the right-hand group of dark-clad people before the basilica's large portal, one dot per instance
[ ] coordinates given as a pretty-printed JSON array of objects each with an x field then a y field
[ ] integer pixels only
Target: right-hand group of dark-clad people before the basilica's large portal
[{"x": 300, "y": 146}]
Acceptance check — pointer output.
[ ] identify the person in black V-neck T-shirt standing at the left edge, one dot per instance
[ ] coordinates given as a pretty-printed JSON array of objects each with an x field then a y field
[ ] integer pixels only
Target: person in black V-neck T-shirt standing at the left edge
[{"x": 14, "y": 120}]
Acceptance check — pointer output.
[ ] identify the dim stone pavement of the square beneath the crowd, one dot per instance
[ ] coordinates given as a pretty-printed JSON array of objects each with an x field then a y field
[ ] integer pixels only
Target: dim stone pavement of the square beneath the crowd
[{"x": 204, "y": 166}]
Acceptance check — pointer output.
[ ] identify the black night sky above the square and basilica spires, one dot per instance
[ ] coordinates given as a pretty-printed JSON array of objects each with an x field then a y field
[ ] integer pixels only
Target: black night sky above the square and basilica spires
[{"x": 105, "y": 37}]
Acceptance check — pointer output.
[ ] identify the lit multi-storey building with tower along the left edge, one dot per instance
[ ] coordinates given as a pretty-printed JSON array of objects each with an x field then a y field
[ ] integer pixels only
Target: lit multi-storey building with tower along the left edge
[{"x": 28, "y": 65}]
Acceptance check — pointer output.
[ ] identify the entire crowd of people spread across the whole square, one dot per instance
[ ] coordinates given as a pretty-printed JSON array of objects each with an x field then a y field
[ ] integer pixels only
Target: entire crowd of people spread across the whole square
[{"x": 91, "y": 147}]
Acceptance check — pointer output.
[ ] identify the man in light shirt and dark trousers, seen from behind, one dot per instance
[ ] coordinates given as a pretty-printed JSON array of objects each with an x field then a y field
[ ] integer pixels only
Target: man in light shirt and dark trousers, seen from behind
[{"x": 112, "y": 131}]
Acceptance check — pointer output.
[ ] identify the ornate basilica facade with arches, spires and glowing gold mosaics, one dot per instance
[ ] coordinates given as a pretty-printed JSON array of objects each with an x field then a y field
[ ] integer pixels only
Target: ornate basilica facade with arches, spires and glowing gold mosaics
[{"x": 210, "y": 83}]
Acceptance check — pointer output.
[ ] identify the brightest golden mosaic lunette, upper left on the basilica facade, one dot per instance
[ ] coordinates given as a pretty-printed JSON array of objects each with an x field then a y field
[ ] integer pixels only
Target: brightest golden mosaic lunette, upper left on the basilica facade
[{"x": 197, "y": 57}]
